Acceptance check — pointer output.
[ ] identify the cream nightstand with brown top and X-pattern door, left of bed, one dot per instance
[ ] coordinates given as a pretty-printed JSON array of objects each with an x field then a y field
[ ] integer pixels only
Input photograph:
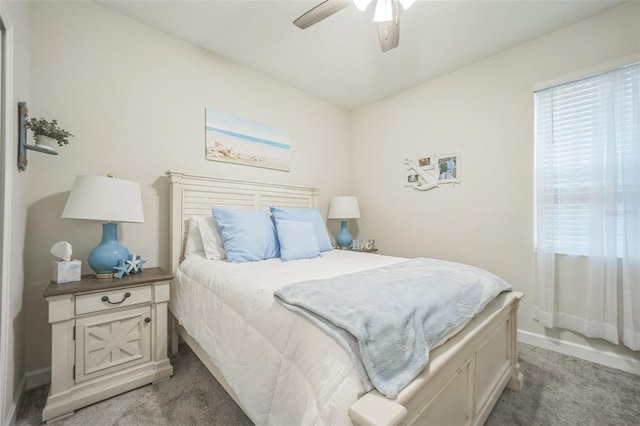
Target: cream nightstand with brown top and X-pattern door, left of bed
[{"x": 108, "y": 336}]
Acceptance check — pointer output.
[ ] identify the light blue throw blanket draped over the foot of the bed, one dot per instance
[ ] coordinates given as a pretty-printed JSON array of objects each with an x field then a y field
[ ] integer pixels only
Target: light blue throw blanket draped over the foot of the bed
[{"x": 389, "y": 318}]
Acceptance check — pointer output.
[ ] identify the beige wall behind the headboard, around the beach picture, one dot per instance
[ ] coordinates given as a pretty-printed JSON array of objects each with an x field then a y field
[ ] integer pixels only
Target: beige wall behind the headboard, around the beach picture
[{"x": 135, "y": 98}]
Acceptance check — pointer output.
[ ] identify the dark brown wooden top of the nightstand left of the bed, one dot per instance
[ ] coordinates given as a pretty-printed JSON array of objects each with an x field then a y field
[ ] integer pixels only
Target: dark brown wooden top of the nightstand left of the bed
[{"x": 91, "y": 283}]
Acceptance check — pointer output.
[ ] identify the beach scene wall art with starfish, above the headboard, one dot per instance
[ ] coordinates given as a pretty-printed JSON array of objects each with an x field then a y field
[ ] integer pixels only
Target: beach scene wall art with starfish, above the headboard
[{"x": 237, "y": 140}]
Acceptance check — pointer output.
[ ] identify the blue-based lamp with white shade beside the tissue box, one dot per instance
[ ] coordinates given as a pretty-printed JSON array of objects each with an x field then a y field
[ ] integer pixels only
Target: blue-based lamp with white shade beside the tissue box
[{"x": 108, "y": 199}]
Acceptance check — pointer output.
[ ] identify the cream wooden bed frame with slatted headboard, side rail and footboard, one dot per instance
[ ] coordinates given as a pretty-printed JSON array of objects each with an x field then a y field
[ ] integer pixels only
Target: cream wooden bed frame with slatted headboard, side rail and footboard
[{"x": 465, "y": 376}]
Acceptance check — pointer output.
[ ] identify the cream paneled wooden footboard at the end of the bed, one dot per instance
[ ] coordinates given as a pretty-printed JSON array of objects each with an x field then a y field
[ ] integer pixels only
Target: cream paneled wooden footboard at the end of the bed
[{"x": 464, "y": 377}]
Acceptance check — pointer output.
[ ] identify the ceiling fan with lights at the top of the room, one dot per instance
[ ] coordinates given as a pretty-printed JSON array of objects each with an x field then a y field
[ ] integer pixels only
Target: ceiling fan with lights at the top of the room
[{"x": 386, "y": 15}]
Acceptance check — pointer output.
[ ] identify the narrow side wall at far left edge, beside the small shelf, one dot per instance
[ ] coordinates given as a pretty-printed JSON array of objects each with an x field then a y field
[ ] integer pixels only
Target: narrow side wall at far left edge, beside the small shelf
[{"x": 14, "y": 353}]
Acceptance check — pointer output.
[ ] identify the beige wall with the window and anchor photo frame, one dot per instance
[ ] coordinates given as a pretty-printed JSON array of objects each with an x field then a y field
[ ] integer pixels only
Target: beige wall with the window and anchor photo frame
[{"x": 485, "y": 112}]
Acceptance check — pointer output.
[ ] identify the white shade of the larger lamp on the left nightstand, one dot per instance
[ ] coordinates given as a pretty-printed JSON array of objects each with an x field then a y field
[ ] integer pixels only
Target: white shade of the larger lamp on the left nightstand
[{"x": 104, "y": 198}]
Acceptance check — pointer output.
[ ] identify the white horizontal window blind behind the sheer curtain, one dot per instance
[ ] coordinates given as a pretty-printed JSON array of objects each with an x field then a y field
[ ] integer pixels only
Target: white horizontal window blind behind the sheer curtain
[{"x": 584, "y": 142}]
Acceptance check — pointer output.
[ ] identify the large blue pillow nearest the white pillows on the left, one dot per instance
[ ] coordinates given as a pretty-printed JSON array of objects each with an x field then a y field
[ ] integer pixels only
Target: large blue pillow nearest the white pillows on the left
[{"x": 247, "y": 235}]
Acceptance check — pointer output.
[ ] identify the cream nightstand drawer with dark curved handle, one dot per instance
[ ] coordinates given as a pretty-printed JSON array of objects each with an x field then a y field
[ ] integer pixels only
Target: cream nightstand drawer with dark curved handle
[{"x": 103, "y": 300}]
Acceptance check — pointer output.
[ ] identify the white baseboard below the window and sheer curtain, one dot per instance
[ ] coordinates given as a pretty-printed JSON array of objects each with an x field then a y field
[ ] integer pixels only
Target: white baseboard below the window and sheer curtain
[{"x": 609, "y": 359}]
